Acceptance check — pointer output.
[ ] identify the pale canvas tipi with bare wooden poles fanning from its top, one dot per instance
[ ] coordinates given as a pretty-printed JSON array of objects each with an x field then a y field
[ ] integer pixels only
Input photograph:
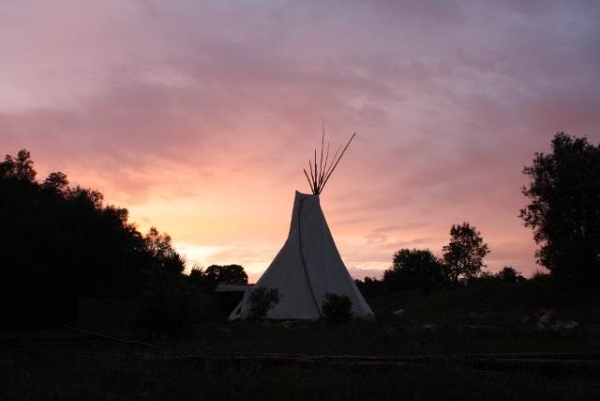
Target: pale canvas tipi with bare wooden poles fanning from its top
[{"x": 308, "y": 265}]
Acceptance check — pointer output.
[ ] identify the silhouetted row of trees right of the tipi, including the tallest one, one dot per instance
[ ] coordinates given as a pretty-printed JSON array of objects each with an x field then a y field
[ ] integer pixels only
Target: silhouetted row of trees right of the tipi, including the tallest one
[{"x": 564, "y": 214}]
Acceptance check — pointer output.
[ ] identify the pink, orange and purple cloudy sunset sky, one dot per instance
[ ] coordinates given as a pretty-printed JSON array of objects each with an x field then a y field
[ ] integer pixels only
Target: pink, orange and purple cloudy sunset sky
[{"x": 199, "y": 116}]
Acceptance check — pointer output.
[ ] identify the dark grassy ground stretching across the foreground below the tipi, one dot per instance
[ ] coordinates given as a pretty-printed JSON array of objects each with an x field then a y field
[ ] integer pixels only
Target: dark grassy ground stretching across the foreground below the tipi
[{"x": 467, "y": 344}]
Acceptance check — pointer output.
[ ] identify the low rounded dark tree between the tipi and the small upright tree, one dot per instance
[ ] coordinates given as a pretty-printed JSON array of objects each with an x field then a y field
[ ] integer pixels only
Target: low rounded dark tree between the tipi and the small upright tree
[{"x": 413, "y": 268}]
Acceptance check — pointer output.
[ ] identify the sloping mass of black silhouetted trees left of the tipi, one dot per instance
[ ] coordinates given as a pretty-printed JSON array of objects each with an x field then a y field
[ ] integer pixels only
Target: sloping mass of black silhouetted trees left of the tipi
[{"x": 59, "y": 241}]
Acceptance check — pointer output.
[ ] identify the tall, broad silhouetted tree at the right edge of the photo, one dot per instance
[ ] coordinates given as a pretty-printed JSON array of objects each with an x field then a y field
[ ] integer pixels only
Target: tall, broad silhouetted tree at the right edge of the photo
[{"x": 564, "y": 208}]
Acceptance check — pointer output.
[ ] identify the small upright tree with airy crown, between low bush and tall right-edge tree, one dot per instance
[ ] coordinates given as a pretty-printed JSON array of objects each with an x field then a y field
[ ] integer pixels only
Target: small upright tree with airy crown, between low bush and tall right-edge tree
[{"x": 465, "y": 252}]
